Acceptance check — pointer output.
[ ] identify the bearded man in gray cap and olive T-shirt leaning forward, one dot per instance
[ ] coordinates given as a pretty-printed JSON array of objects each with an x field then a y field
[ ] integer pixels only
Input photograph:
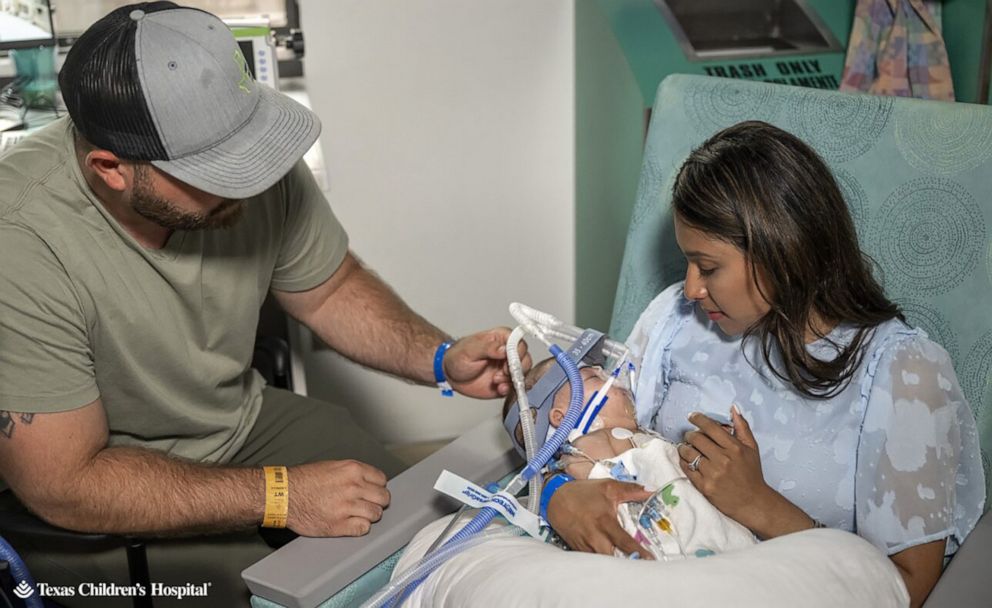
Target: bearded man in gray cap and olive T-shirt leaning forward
[{"x": 138, "y": 240}]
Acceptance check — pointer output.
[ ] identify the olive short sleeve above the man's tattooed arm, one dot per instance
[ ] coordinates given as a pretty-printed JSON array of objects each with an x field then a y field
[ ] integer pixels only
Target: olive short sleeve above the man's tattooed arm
[{"x": 46, "y": 364}]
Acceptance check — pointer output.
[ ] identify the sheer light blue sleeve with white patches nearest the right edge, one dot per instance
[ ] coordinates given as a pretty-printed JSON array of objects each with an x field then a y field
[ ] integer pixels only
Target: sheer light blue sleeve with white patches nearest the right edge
[{"x": 919, "y": 475}]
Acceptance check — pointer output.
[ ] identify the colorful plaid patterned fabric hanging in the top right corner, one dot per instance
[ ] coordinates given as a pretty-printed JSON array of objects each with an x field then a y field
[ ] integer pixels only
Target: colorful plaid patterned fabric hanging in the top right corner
[{"x": 896, "y": 48}]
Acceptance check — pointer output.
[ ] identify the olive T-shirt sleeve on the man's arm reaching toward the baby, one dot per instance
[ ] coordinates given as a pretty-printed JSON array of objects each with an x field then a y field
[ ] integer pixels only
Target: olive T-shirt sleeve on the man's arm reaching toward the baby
[{"x": 314, "y": 243}]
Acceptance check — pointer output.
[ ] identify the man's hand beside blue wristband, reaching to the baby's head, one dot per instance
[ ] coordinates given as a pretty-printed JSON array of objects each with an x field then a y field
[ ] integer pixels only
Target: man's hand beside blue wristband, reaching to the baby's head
[{"x": 476, "y": 365}]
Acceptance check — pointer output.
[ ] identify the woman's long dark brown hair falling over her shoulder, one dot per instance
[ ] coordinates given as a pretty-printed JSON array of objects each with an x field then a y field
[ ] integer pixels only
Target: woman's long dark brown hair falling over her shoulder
[{"x": 770, "y": 195}]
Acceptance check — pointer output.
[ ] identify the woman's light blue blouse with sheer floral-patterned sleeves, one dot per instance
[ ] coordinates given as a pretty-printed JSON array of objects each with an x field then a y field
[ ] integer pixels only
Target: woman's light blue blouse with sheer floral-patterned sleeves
[{"x": 894, "y": 457}]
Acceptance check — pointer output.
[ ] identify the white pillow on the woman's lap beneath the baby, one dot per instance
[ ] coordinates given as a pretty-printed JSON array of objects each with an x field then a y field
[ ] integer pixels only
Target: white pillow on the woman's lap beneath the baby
[{"x": 827, "y": 568}]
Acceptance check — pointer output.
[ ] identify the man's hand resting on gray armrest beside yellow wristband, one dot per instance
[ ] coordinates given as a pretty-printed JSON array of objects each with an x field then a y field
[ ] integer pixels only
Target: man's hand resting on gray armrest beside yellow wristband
[{"x": 335, "y": 498}]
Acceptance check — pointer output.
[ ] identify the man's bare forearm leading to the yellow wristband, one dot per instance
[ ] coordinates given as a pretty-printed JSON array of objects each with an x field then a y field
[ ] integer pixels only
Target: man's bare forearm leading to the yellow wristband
[{"x": 135, "y": 491}]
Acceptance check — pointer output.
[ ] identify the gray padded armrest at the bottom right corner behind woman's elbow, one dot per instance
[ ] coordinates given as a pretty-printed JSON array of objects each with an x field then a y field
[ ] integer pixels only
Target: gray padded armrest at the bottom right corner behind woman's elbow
[{"x": 965, "y": 582}]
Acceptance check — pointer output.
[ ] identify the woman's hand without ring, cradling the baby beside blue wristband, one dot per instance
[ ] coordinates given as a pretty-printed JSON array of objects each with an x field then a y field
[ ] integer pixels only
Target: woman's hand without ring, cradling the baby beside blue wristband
[{"x": 584, "y": 514}]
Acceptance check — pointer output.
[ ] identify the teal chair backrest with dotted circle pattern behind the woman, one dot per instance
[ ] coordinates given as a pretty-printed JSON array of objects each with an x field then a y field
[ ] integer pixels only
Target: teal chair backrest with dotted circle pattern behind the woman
[{"x": 916, "y": 176}]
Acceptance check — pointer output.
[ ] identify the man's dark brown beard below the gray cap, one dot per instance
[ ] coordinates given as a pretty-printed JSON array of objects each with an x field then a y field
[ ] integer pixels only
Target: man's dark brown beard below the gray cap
[{"x": 149, "y": 205}]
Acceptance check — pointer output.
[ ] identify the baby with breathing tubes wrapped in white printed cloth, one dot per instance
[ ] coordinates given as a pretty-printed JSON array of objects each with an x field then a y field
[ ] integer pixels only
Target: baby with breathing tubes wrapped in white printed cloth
[{"x": 677, "y": 522}]
